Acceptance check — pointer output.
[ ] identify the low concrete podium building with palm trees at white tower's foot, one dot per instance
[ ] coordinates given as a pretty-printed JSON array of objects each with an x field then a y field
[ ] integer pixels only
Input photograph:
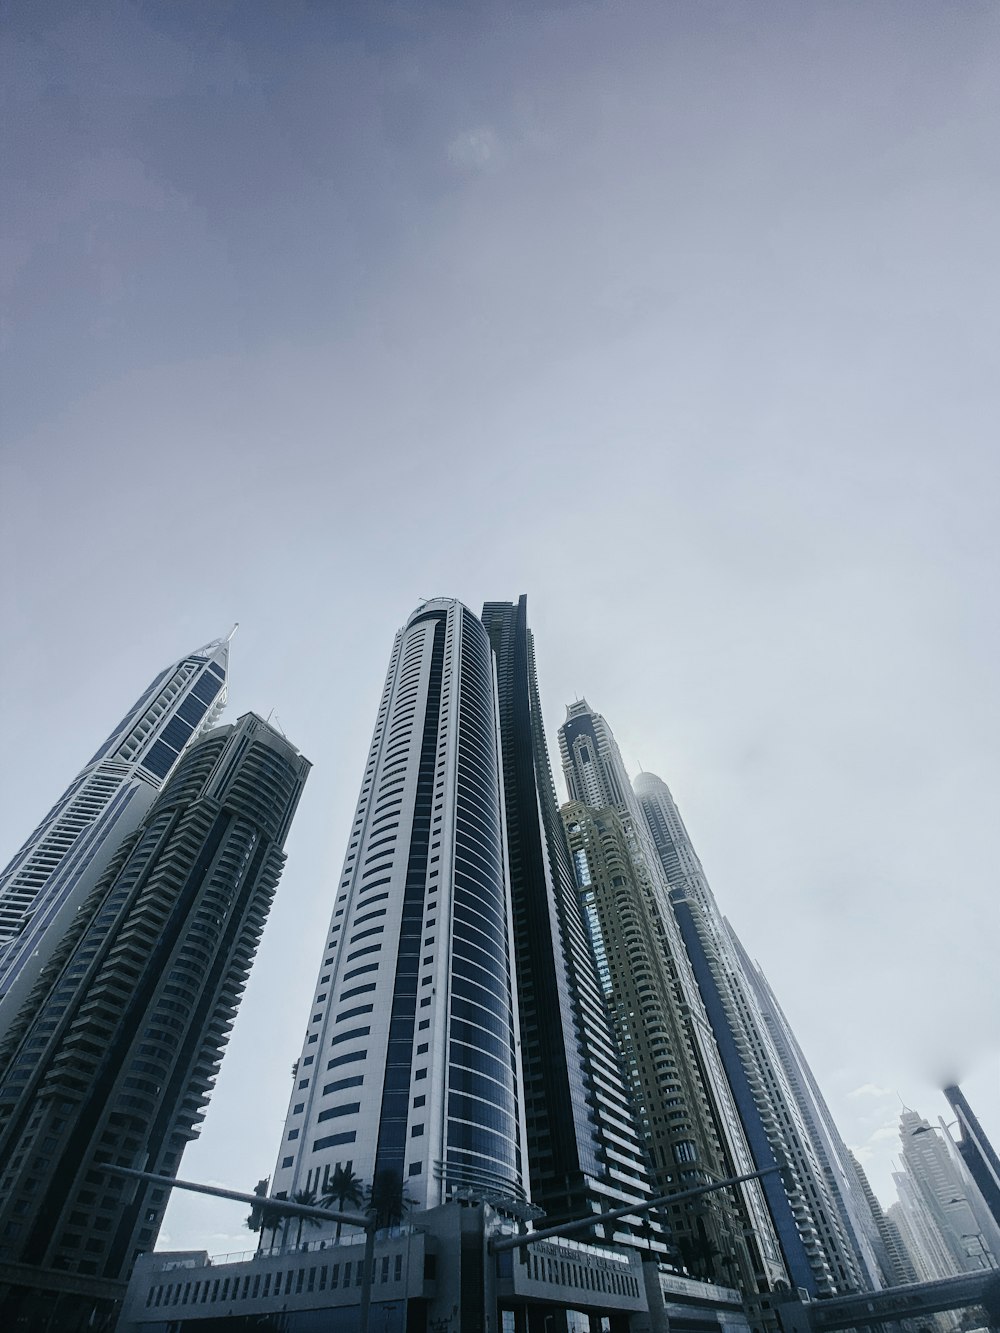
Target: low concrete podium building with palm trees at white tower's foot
[{"x": 437, "y": 1274}]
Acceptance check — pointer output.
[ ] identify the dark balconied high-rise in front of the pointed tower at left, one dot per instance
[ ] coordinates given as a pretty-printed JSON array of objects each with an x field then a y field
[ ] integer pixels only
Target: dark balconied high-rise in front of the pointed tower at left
[{"x": 113, "y": 1056}]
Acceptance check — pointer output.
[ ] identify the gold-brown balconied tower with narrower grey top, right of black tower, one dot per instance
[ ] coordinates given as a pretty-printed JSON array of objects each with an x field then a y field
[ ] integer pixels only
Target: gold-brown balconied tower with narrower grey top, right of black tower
[{"x": 690, "y": 1116}]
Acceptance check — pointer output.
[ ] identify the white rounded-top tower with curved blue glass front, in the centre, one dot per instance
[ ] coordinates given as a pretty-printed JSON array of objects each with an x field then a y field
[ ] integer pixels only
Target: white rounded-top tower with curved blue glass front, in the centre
[{"x": 410, "y": 1070}]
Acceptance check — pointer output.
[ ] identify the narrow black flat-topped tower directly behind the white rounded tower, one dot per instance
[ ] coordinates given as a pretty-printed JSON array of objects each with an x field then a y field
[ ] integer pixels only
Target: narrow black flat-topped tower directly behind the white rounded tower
[{"x": 586, "y": 1152}]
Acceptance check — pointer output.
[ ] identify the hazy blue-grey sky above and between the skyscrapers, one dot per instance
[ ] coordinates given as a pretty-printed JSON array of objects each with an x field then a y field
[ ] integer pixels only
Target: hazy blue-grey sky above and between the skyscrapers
[{"x": 682, "y": 318}]
